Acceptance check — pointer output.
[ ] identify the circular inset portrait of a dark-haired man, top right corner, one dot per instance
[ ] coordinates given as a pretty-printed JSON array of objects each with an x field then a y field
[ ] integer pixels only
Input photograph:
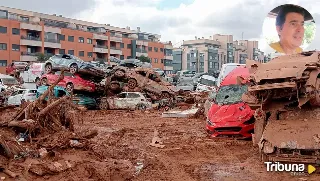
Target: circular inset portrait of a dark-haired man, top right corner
[{"x": 289, "y": 29}]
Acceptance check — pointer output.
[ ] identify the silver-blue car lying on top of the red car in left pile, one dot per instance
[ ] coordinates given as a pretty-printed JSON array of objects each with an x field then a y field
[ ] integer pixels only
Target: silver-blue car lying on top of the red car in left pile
[{"x": 73, "y": 64}]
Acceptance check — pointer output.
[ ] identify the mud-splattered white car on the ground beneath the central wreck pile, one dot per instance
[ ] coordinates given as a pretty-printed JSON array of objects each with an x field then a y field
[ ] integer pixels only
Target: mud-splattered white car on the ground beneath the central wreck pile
[{"x": 126, "y": 100}]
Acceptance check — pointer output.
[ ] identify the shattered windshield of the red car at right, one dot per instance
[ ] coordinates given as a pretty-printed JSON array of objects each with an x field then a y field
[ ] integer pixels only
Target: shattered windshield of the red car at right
[{"x": 230, "y": 94}]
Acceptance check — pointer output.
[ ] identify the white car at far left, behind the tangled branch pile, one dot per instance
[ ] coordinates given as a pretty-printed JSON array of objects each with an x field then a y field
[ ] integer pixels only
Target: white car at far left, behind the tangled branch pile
[{"x": 22, "y": 95}]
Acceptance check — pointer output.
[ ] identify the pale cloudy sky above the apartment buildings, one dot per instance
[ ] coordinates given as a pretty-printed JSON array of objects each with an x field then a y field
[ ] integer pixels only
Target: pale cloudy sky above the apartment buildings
[{"x": 176, "y": 20}]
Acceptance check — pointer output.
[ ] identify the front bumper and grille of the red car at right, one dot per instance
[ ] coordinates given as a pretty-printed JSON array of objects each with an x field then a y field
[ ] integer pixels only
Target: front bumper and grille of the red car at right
[{"x": 230, "y": 129}]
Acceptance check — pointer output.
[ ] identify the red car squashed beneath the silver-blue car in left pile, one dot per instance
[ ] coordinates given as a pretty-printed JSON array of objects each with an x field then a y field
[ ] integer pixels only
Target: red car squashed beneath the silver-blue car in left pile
[{"x": 70, "y": 82}]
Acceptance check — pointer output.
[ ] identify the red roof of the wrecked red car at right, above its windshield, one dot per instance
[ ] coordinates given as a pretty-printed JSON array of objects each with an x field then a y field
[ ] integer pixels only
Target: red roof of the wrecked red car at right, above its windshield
[{"x": 231, "y": 78}]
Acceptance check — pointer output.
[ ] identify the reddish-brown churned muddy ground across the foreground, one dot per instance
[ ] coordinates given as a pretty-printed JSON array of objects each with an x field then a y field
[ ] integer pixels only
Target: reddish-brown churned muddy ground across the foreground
[{"x": 122, "y": 151}]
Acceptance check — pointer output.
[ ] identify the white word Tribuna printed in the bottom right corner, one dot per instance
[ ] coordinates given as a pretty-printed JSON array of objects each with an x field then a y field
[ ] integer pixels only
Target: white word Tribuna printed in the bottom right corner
[{"x": 280, "y": 167}]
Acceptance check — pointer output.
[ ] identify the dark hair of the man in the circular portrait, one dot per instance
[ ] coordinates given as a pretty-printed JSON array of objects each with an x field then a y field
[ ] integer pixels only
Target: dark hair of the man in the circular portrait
[{"x": 285, "y": 9}]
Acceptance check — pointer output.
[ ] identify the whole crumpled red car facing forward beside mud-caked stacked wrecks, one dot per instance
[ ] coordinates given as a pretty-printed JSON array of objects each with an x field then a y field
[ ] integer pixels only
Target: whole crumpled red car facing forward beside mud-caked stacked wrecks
[{"x": 228, "y": 115}]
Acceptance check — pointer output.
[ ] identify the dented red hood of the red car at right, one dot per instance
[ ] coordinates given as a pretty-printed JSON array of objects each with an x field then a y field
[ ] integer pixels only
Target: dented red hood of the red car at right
[{"x": 230, "y": 113}]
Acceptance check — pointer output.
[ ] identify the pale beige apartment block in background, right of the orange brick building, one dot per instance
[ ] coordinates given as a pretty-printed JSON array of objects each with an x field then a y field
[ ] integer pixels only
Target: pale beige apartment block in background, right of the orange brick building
[{"x": 208, "y": 55}]
